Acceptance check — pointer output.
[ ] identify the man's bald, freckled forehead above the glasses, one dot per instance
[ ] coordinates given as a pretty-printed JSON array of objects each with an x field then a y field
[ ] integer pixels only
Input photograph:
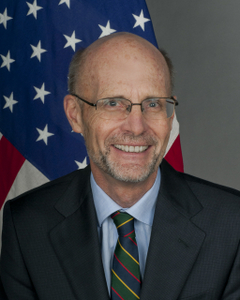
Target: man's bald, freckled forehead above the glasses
[{"x": 124, "y": 63}]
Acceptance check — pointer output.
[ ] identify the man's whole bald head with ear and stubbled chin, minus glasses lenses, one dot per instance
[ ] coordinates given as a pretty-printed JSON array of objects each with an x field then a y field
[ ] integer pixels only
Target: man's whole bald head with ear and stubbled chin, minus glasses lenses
[{"x": 121, "y": 65}]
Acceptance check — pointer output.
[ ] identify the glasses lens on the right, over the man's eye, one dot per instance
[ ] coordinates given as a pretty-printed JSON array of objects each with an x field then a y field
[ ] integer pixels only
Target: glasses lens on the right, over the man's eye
[{"x": 158, "y": 108}]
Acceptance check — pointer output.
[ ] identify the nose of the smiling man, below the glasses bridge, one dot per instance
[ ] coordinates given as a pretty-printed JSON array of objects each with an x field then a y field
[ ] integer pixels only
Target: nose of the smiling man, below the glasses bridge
[{"x": 135, "y": 122}]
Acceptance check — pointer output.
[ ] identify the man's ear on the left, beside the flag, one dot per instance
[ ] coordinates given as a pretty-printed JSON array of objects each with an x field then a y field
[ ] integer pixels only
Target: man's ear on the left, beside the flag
[{"x": 73, "y": 112}]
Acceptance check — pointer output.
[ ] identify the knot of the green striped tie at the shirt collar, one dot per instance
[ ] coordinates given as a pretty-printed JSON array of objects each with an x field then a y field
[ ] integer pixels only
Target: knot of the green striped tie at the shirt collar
[{"x": 124, "y": 224}]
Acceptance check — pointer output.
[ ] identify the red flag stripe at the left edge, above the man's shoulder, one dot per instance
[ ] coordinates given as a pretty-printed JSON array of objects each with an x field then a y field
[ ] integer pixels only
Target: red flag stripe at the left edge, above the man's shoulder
[{"x": 11, "y": 161}]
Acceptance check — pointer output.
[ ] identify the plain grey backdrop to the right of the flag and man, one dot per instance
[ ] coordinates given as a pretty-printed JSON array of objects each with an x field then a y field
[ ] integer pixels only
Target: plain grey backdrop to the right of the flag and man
[{"x": 203, "y": 40}]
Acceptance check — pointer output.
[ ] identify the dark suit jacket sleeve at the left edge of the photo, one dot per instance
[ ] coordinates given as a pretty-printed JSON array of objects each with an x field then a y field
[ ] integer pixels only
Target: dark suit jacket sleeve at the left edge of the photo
[{"x": 16, "y": 283}]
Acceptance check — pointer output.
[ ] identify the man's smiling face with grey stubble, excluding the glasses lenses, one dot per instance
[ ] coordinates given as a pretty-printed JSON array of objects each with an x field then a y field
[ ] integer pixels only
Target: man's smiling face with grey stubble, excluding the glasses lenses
[{"x": 131, "y": 149}]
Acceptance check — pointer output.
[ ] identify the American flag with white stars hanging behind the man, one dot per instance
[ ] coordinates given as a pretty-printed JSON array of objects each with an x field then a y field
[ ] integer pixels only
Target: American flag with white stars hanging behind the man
[{"x": 37, "y": 40}]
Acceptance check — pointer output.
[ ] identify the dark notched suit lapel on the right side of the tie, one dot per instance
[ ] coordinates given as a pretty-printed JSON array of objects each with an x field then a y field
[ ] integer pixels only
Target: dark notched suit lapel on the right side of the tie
[{"x": 175, "y": 240}]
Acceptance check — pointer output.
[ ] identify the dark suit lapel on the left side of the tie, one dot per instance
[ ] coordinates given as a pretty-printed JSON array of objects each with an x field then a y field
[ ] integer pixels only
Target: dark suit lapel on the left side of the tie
[{"x": 76, "y": 243}]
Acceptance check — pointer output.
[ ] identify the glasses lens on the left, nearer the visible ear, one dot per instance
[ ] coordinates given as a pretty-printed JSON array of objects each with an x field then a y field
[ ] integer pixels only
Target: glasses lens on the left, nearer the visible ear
[{"x": 113, "y": 108}]
